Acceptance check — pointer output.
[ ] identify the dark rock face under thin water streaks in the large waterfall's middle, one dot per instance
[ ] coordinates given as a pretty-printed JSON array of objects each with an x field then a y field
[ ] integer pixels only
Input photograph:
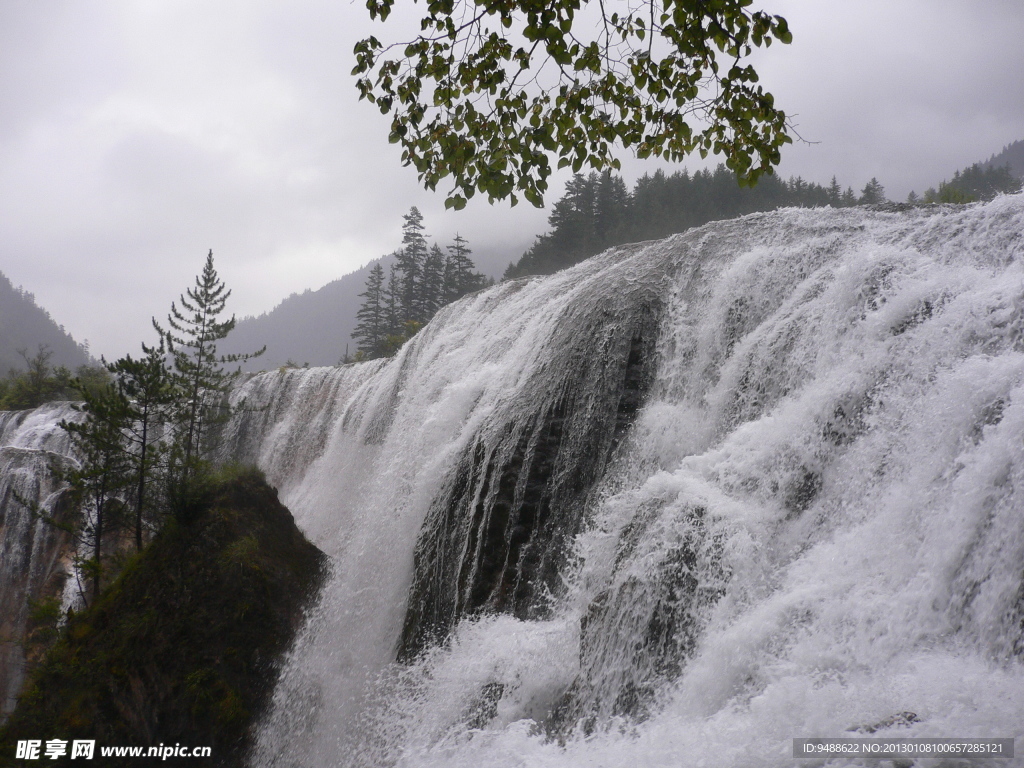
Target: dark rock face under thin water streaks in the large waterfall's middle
[{"x": 496, "y": 540}]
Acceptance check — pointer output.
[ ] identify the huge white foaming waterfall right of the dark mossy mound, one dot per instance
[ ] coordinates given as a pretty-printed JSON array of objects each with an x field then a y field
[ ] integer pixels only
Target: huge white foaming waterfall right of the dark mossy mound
[{"x": 810, "y": 524}]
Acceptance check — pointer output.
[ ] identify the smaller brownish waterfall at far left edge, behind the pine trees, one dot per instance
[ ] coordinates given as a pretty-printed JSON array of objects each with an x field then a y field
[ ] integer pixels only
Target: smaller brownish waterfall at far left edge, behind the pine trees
[{"x": 33, "y": 554}]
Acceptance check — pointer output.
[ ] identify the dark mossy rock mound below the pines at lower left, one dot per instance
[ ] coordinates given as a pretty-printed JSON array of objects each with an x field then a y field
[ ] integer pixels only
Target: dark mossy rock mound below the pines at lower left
[{"x": 184, "y": 647}]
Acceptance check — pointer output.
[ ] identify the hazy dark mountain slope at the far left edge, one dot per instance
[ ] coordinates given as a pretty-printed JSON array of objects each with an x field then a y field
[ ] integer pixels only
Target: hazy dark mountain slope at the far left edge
[{"x": 25, "y": 325}]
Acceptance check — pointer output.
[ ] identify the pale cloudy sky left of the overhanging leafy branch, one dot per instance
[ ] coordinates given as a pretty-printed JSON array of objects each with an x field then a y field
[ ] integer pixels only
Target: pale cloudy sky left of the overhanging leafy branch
[{"x": 137, "y": 136}]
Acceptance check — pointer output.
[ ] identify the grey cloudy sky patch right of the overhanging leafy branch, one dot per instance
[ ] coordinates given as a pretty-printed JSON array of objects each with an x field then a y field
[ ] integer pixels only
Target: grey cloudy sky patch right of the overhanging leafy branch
[{"x": 908, "y": 92}]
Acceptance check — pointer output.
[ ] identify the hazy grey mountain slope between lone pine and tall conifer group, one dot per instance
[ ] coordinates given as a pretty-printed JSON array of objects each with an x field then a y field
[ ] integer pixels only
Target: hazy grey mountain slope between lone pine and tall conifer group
[{"x": 314, "y": 327}]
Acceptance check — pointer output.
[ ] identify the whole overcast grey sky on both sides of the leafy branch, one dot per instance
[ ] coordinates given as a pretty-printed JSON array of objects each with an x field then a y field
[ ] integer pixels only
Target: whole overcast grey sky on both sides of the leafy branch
[{"x": 138, "y": 135}]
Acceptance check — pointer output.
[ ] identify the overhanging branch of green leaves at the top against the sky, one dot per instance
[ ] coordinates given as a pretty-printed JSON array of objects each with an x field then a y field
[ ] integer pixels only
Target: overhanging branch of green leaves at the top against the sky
[{"x": 491, "y": 91}]
